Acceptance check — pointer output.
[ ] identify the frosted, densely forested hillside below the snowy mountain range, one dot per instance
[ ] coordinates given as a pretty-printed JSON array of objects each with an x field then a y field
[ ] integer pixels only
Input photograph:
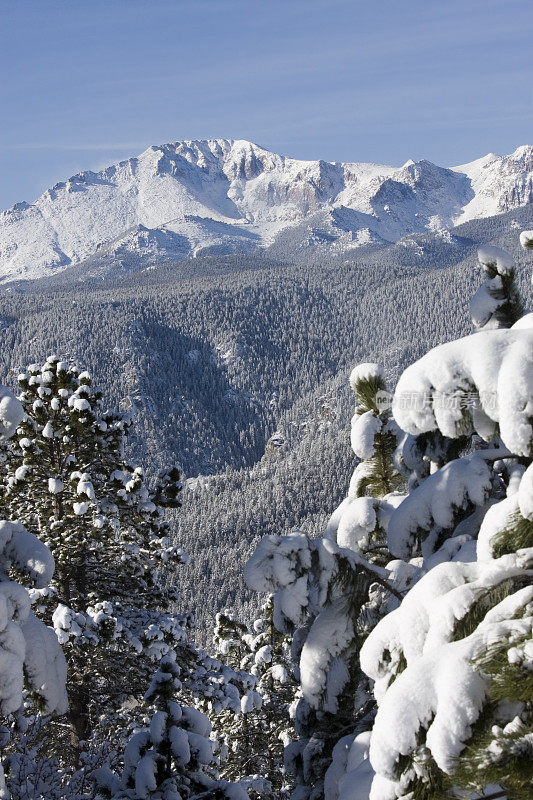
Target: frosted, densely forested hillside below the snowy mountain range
[{"x": 236, "y": 369}]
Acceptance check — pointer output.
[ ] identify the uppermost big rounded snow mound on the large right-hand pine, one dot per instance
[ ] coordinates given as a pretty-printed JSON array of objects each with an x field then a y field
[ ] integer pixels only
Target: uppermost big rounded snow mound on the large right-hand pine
[{"x": 483, "y": 382}]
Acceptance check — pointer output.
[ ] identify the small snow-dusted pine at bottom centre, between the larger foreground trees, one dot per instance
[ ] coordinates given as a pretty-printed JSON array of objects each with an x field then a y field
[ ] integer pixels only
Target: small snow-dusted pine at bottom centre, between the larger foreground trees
[{"x": 255, "y": 738}]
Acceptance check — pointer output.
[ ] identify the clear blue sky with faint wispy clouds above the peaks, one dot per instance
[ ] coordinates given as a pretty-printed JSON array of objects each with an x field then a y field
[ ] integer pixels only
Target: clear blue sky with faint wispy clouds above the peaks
[{"x": 85, "y": 83}]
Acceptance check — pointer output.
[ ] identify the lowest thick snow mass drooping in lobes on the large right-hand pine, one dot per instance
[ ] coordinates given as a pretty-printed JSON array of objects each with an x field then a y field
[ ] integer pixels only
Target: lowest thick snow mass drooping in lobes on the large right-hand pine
[{"x": 442, "y": 691}]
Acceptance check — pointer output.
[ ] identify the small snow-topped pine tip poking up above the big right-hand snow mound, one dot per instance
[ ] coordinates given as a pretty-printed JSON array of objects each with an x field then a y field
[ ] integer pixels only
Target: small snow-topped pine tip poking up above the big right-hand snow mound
[{"x": 497, "y": 303}]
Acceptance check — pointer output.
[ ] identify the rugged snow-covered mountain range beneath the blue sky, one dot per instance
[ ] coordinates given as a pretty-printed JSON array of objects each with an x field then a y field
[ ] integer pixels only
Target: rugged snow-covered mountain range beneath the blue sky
[{"x": 195, "y": 198}]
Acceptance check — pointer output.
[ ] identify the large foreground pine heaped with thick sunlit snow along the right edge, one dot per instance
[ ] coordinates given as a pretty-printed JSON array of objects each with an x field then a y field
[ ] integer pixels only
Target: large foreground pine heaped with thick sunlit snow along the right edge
[{"x": 452, "y": 665}]
